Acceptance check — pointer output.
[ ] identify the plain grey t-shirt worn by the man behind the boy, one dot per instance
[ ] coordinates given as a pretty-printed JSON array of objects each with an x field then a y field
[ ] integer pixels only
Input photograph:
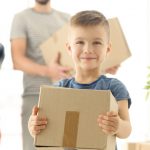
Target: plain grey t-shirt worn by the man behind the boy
[{"x": 36, "y": 28}]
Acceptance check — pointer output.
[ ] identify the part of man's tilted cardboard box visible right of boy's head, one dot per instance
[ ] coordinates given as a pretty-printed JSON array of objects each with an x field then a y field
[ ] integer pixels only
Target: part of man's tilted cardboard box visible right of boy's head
[{"x": 120, "y": 50}]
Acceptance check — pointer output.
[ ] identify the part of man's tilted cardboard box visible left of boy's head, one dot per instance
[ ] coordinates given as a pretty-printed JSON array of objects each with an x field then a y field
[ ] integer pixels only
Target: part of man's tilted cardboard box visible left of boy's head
[{"x": 57, "y": 43}]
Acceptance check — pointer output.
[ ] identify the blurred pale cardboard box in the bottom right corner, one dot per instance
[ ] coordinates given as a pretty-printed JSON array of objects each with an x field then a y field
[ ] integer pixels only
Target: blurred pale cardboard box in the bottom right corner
[{"x": 138, "y": 146}]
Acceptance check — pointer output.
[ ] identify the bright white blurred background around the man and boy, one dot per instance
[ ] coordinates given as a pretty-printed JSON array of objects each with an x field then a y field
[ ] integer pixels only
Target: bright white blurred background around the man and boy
[{"x": 134, "y": 17}]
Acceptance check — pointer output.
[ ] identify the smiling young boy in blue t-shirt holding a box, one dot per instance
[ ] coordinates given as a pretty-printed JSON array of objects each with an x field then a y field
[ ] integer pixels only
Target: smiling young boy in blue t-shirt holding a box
[{"x": 88, "y": 45}]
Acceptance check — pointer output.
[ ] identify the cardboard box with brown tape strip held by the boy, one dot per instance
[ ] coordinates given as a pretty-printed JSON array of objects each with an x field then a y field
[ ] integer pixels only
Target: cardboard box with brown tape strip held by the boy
[{"x": 72, "y": 116}]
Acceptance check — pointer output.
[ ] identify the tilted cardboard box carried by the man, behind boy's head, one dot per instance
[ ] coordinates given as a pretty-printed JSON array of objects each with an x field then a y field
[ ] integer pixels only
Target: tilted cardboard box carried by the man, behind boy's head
[{"x": 57, "y": 43}]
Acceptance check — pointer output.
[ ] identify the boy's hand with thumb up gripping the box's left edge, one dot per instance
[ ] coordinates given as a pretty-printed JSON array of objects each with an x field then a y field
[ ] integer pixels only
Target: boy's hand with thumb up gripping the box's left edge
[{"x": 35, "y": 123}]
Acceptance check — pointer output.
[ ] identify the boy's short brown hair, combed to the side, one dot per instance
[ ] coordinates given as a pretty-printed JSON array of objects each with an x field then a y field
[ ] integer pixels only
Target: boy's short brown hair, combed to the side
[{"x": 90, "y": 18}]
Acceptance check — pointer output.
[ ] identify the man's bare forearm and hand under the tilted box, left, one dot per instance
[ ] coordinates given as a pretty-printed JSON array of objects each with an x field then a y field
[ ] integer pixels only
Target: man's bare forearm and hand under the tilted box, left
[{"x": 25, "y": 64}]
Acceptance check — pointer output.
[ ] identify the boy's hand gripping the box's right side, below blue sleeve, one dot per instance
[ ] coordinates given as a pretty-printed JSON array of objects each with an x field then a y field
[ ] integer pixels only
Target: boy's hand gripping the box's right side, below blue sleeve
[{"x": 109, "y": 123}]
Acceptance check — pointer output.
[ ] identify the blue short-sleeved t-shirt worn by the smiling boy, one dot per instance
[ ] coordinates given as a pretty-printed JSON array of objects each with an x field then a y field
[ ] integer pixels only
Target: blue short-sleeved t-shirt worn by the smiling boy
[{"x": 116, "y": 87}]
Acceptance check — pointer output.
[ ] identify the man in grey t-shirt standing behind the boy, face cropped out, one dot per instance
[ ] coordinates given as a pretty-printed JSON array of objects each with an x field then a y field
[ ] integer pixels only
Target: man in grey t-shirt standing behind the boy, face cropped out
[{"x": 30, "y": 28}]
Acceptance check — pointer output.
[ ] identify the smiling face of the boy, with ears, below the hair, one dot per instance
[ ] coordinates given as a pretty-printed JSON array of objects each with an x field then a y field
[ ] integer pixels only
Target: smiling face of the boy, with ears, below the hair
[{"x": 88, "y": 46}]
